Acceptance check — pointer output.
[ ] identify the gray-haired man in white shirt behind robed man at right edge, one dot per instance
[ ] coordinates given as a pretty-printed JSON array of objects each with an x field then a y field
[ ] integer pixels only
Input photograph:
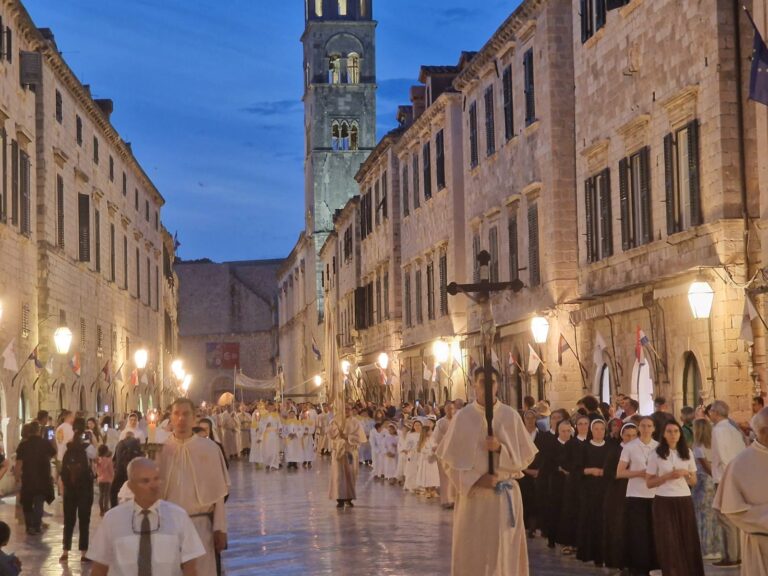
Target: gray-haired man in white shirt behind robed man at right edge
[{"x": 727, "y": 443}]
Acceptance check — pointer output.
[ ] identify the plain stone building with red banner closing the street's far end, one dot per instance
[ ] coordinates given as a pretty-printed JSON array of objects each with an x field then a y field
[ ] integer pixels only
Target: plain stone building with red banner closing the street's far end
[{"x": 227, "y": 322}]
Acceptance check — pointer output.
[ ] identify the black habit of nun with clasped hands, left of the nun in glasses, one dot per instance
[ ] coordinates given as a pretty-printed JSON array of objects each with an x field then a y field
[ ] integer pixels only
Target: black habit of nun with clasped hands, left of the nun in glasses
[{"x": 592, "y": 495}]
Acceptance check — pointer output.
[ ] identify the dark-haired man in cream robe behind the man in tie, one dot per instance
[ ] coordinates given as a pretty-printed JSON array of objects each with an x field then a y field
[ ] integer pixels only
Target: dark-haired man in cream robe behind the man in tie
[{"x": 195, "y": 477}]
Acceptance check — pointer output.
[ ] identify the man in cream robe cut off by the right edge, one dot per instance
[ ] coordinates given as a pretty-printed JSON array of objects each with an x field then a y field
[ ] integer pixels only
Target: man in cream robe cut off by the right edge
[{"x": 742, "y": 497}]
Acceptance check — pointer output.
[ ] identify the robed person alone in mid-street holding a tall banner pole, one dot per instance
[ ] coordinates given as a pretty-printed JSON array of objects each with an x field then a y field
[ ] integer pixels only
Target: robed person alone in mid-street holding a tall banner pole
[{"x": 346, "y": 435}]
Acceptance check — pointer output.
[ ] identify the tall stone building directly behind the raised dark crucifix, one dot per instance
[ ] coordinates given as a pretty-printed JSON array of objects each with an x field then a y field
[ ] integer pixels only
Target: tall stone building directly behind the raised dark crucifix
[{"x": 519, "y": 204}]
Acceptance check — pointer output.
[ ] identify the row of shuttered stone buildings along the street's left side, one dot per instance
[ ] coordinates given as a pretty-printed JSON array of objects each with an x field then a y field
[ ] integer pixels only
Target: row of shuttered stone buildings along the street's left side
[{"x": 82, "y": 230}]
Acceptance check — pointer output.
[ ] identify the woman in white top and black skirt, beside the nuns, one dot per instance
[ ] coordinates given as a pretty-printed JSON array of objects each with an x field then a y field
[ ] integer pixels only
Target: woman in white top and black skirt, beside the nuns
[{"x": 638, "y": 510}]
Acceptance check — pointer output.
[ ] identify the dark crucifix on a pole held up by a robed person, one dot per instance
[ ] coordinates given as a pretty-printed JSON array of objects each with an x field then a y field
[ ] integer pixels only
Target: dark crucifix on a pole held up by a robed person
[{"x": 480, "y": 293}]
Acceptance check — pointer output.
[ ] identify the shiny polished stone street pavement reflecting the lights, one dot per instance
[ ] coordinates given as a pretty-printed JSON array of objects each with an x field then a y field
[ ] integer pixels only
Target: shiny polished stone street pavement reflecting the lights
[{"x": 283, "y": 524}]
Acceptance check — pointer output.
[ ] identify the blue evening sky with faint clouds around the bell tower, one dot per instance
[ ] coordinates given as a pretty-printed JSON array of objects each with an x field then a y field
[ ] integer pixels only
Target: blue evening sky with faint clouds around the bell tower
[{"x": 209, "y": 94}]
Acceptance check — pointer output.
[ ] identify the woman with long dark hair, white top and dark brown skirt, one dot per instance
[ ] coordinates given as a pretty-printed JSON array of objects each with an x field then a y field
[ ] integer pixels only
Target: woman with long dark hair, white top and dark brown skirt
[{"x": 671, "y": 472}]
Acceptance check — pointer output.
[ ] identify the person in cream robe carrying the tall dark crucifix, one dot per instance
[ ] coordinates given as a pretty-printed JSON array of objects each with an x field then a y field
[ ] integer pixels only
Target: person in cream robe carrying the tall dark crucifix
[{"x": 488, "y": 531}]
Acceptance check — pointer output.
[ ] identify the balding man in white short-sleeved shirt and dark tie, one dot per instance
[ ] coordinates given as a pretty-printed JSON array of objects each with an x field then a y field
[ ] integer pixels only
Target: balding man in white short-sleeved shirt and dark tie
[{"x": 145, "y": 536}]
